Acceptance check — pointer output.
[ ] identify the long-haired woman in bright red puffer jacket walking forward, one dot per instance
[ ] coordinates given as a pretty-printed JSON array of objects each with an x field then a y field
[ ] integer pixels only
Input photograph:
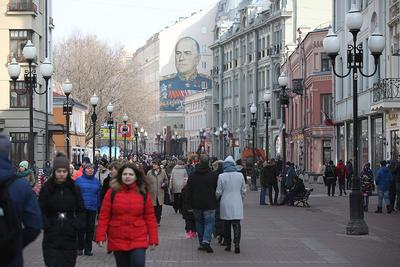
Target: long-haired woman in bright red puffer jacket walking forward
[{"x": 127, "y": 220}]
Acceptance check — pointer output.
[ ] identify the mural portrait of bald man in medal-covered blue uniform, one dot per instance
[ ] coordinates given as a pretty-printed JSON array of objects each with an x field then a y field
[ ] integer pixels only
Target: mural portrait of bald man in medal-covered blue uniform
[{"x": 186, "y": 80}]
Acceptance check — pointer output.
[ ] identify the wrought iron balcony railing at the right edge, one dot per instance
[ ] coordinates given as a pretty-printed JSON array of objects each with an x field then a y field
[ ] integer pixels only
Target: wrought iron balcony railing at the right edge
[{"x": 387, "y": 88}]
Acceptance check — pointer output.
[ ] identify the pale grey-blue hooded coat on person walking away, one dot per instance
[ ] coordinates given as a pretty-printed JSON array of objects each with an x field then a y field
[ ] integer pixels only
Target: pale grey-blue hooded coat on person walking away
[{"x": 231, "y": 188}]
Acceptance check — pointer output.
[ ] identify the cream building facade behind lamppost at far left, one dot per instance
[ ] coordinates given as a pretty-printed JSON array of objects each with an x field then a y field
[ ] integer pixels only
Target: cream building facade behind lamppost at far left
[{"x": 22, "y": 21}]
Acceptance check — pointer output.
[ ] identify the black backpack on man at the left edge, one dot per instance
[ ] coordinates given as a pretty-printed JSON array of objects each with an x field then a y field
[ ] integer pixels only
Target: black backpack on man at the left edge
[{"x": 9, "y": 226}]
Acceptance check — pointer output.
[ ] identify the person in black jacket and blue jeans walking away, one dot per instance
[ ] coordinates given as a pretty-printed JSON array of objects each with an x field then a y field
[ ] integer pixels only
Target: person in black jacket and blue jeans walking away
[{"x": 200, "y": 197}]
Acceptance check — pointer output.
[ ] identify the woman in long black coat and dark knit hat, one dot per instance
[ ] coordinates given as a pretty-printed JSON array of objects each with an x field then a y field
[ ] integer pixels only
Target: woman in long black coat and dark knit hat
[{"x": 63, "y": 215}]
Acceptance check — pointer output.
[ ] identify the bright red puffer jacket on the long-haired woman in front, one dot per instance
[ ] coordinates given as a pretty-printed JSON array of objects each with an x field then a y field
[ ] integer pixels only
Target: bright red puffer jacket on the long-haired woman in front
[{"x": 131, "y": 225}]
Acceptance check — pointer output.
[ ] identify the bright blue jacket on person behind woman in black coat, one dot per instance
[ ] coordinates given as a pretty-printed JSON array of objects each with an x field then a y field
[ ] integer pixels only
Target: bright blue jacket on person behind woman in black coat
[{"x": 90, "y": 188}]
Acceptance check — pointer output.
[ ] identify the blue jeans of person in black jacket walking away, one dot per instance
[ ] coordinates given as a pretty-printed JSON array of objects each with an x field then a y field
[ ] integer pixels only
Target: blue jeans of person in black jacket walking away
[{"x": 205, "y": 221}]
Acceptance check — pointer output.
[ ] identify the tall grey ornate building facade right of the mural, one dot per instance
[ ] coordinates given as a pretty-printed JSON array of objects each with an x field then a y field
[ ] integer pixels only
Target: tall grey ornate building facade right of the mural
[{"x": 248, "y": 52}]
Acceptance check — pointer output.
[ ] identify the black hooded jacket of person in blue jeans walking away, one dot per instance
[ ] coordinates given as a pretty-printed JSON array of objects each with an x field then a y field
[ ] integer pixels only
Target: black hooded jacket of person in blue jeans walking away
[{"x": 201, "y": 186}]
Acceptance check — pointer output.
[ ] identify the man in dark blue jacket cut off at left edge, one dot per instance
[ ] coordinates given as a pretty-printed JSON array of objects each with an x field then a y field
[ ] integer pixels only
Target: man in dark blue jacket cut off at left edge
[{"x": 25, "y": 206}]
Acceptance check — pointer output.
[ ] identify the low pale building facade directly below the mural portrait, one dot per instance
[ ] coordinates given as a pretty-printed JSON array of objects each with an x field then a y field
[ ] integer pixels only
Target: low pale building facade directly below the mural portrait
[{"x": 198, "y": 115}]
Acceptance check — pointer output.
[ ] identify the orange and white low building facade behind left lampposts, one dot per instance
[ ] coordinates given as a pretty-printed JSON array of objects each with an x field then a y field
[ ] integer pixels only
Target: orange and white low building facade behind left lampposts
[{"x": 77, "y": 149}]
